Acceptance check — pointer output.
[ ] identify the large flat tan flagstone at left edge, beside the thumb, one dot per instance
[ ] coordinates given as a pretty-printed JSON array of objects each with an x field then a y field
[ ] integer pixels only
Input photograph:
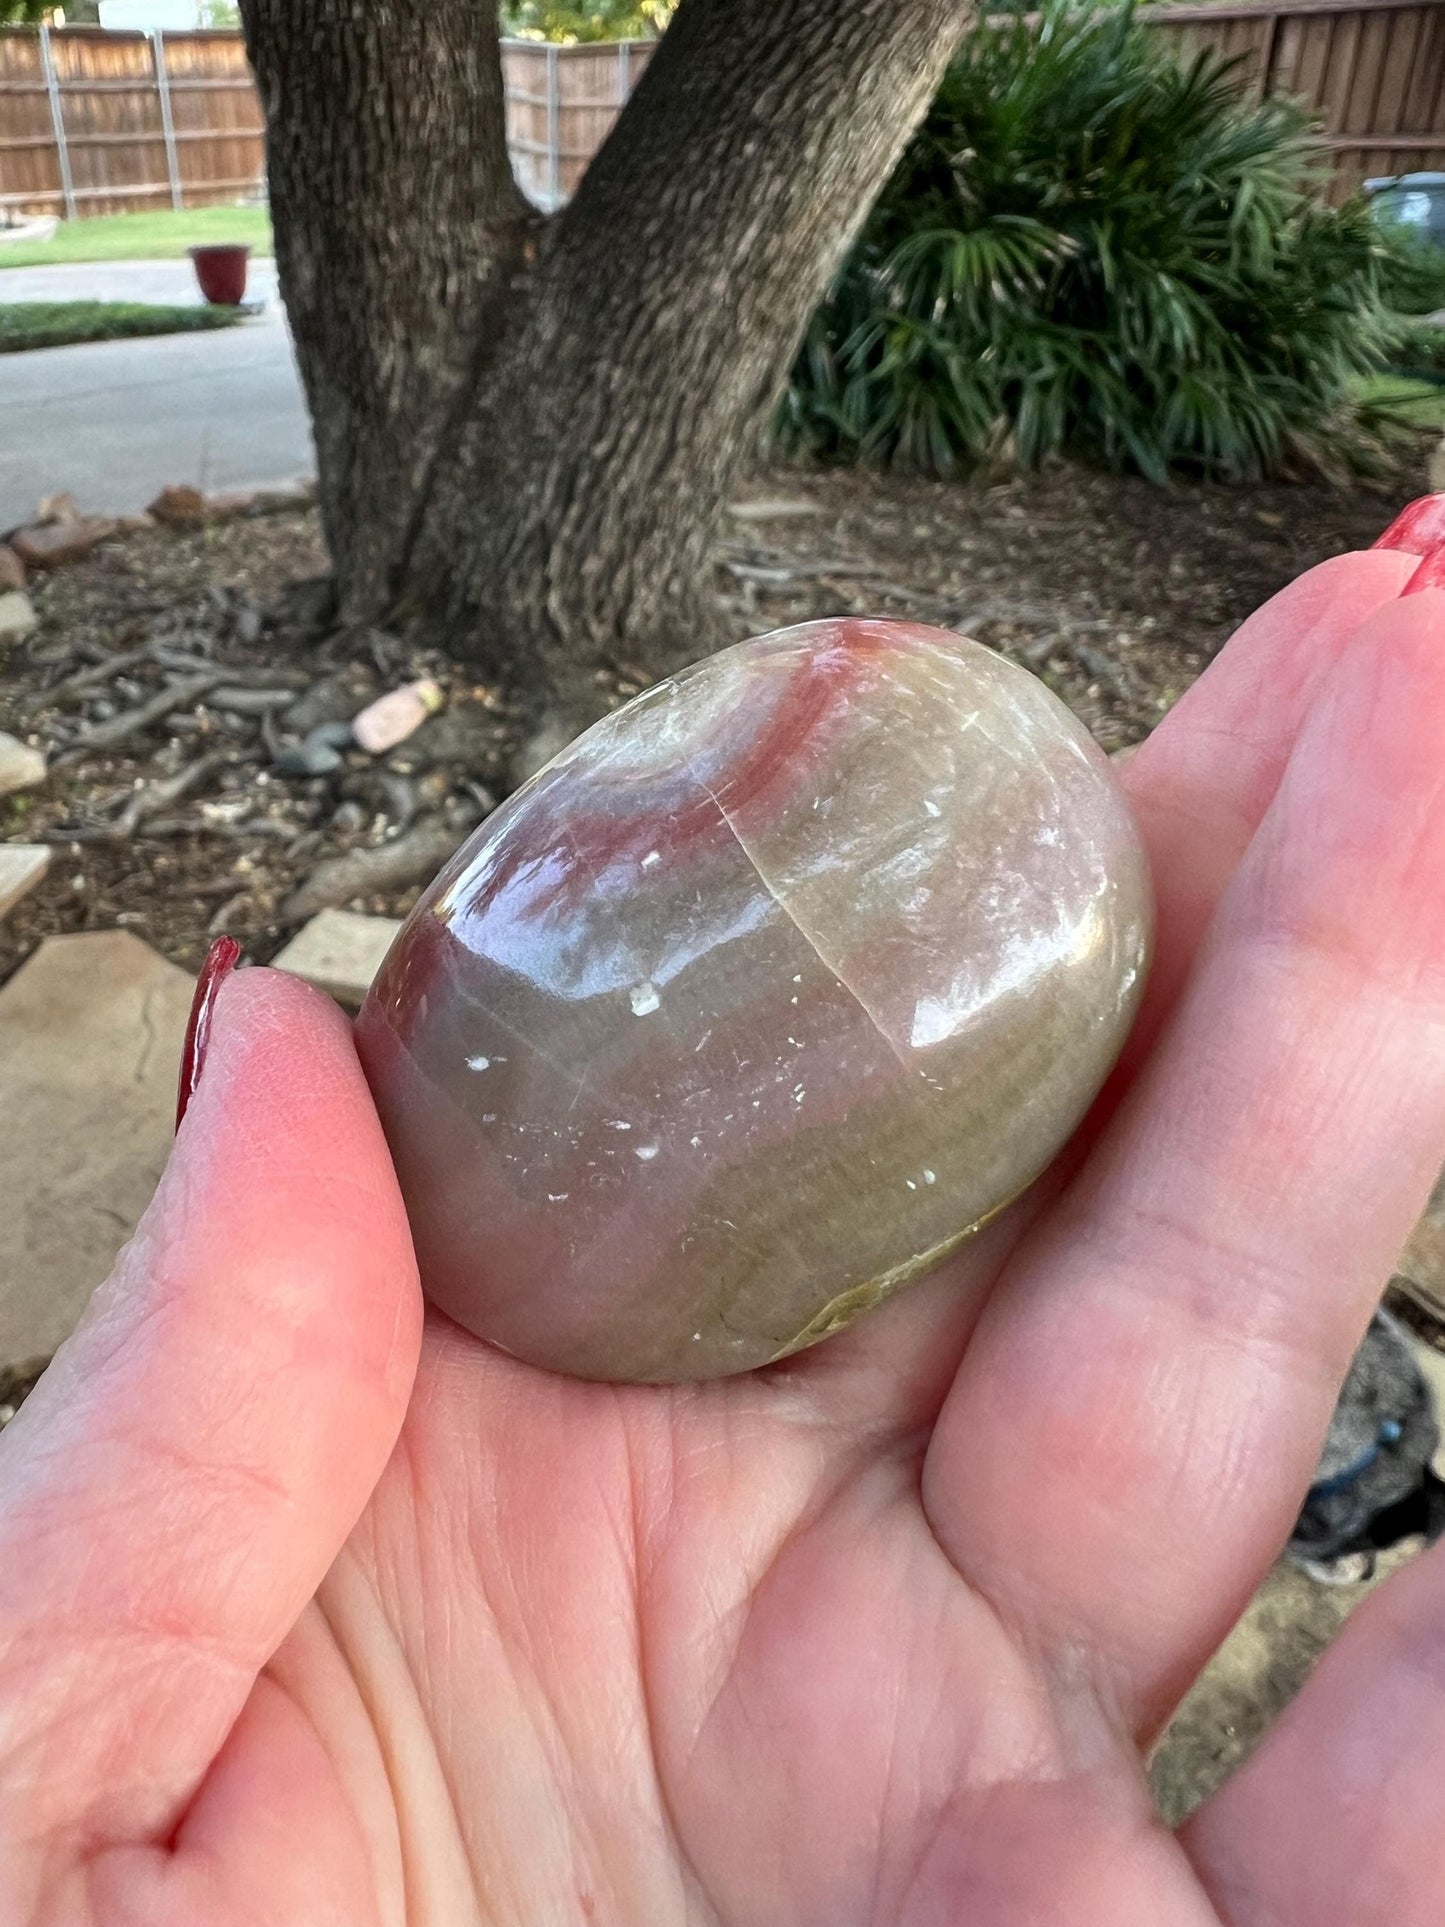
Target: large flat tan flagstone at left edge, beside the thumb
[{"x": 90, "y": 1043}]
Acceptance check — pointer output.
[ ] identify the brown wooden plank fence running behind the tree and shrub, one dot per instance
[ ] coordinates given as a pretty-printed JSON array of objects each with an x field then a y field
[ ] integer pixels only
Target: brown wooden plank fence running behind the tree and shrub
[{"x": 101, "y": 122}]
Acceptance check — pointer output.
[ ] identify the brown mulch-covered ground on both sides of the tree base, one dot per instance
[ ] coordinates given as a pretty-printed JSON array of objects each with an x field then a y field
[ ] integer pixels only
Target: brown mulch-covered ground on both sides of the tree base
[{"x": 1113, "y": 591}]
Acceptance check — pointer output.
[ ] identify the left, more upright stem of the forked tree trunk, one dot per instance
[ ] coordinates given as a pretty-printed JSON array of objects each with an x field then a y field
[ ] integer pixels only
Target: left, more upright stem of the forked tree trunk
[{"x": 398, "y": 236}]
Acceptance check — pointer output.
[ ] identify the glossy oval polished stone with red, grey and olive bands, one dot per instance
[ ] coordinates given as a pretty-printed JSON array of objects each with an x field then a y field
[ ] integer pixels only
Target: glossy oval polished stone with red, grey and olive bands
[{"x": 756, "y": 1001}]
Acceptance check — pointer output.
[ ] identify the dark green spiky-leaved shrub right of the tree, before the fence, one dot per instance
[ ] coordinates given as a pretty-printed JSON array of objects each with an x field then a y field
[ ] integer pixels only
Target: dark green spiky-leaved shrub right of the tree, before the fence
[{"x": 1093, "y": 250}]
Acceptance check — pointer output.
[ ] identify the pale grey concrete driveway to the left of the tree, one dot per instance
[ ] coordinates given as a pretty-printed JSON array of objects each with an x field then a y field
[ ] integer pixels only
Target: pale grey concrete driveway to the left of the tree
[{"x": 117, "y": 421}]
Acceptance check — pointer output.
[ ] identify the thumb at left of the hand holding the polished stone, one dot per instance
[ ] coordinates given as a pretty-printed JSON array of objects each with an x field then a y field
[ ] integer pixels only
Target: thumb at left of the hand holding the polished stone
[{"x": 184, "y": 1475}]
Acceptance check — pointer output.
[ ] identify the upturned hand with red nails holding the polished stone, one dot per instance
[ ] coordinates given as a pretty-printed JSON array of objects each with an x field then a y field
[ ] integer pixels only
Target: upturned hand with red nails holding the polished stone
[{"x": 298, "y": 1631}]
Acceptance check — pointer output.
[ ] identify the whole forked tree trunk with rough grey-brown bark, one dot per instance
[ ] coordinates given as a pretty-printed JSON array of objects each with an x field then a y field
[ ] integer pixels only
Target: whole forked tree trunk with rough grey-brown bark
[{"x": 527, "y": 429}]
